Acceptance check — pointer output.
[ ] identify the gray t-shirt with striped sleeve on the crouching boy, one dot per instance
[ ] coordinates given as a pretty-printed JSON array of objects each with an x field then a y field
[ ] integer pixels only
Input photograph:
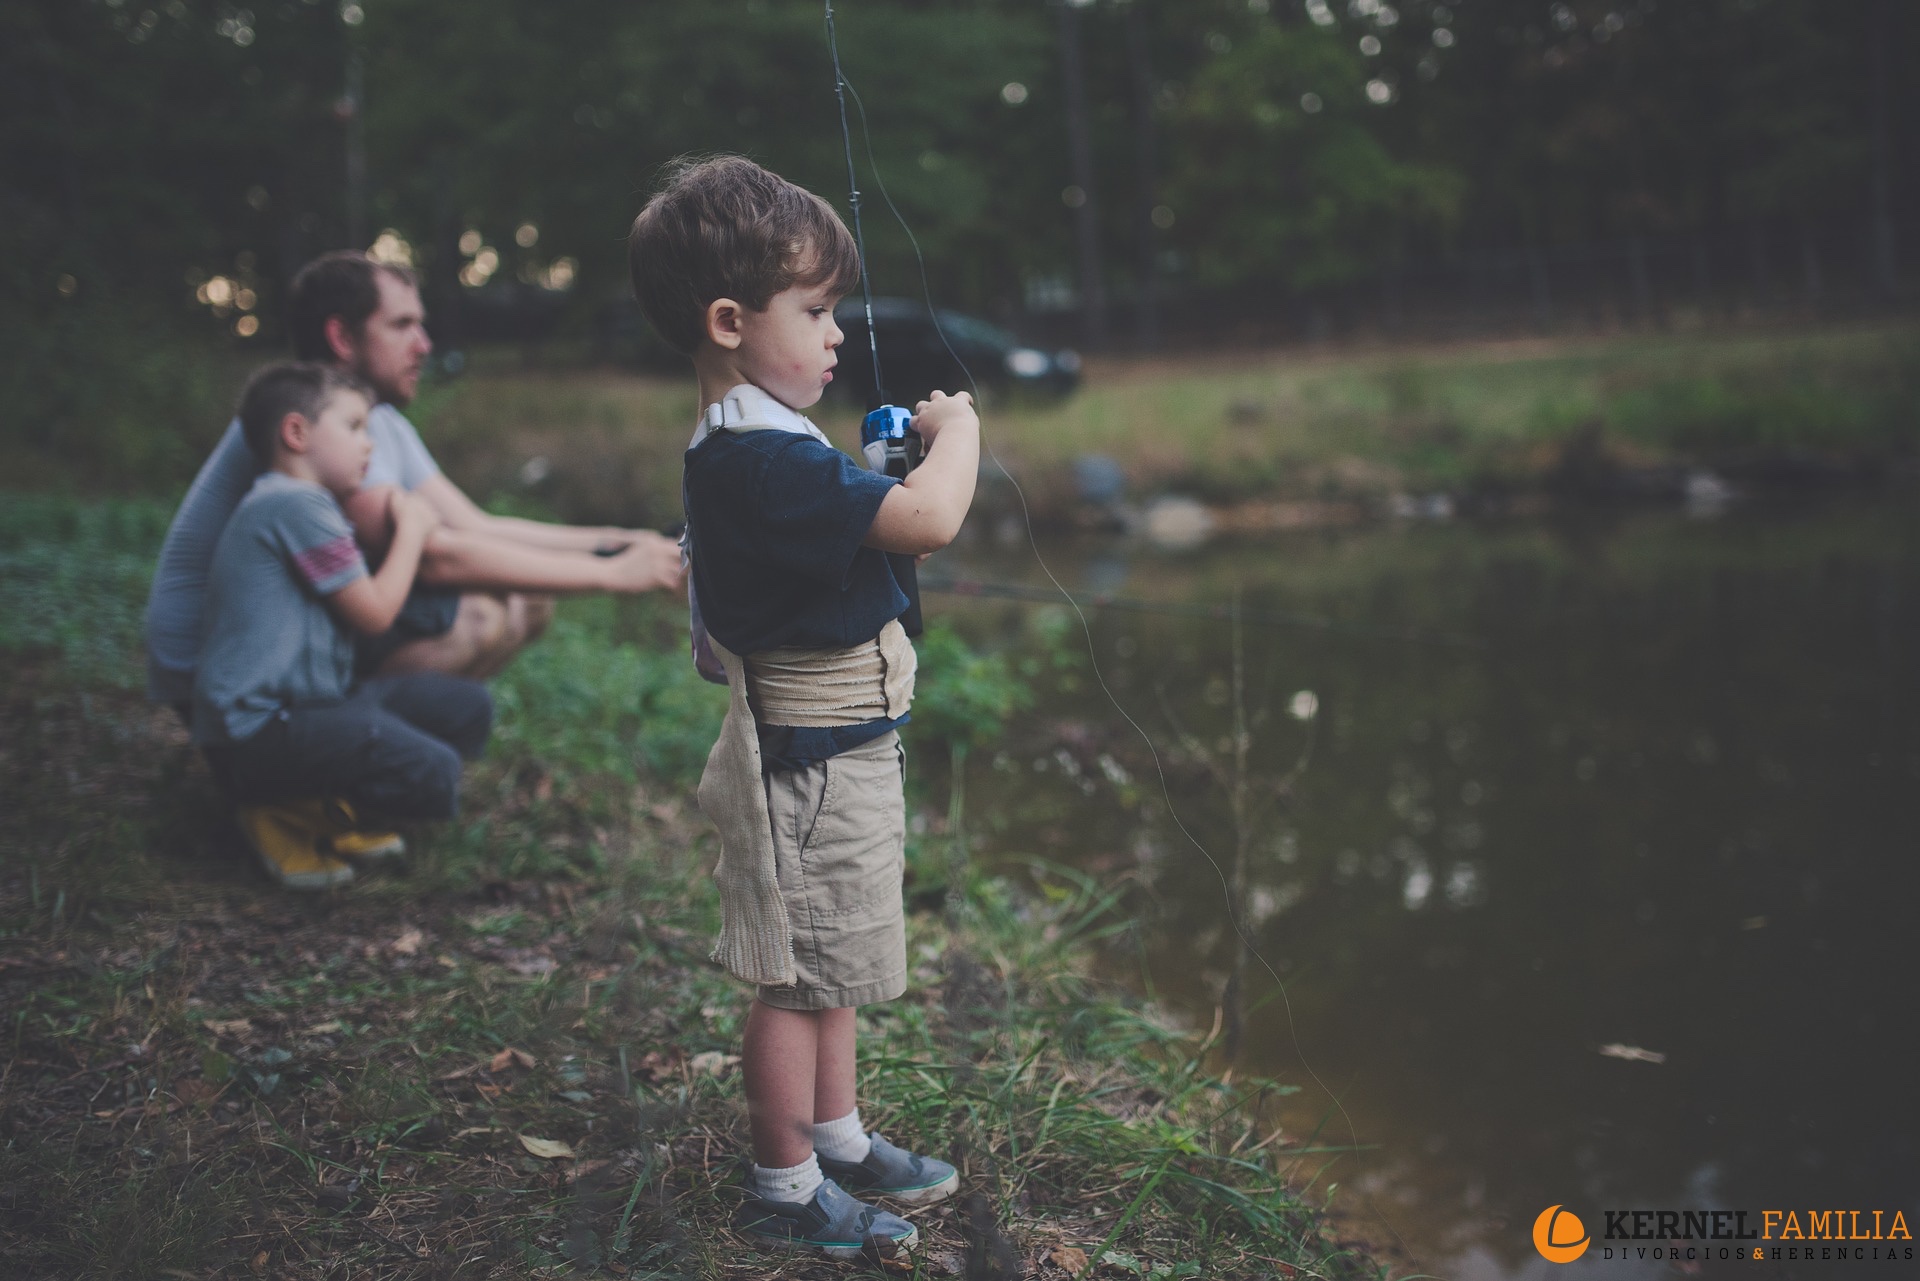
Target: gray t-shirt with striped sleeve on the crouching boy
[{"x": 270, "y": 637}]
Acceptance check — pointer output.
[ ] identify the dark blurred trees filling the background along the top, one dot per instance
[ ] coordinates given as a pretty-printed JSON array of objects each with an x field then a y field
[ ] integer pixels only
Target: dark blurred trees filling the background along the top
[{"x": 1120, "y": 174}]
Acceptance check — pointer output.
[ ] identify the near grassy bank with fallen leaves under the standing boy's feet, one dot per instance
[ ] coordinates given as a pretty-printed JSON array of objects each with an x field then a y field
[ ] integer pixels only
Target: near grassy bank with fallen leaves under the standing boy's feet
[{"x": 516, "y": 1061}]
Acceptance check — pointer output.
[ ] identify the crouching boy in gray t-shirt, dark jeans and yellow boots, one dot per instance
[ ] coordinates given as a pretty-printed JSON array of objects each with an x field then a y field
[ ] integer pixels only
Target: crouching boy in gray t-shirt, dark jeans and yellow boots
[{"x": 276, "y": 706}]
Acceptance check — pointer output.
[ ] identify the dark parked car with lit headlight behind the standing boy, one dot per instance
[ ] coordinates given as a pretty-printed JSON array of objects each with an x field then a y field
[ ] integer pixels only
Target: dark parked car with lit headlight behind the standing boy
[{"x": 917, "y": 362}]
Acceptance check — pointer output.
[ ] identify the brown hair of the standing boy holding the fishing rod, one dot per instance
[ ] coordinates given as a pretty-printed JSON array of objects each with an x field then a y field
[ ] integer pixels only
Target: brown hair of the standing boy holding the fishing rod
[{"x": 725, "y": 228}]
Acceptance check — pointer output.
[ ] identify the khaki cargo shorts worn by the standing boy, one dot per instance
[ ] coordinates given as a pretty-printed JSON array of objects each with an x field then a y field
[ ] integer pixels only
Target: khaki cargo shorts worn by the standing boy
[{"x": 840, "y": 852}]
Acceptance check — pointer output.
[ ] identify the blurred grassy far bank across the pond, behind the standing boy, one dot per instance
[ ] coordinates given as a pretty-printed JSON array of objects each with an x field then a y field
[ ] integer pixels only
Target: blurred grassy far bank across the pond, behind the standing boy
[{"x": 1495, "y": 418}]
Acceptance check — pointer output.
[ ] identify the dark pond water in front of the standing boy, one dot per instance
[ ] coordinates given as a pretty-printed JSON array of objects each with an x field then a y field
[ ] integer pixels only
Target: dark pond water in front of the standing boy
[{"x": 1646, "y": 785}]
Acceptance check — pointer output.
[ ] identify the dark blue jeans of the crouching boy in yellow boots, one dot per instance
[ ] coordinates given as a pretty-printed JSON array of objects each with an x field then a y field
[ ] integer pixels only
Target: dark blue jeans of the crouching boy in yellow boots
[{"x": 393, "y": 748}]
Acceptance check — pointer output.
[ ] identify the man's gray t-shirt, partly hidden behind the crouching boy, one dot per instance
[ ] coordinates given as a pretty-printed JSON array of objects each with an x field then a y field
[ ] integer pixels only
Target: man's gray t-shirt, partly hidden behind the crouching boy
[{"x": 181, "y": 579}]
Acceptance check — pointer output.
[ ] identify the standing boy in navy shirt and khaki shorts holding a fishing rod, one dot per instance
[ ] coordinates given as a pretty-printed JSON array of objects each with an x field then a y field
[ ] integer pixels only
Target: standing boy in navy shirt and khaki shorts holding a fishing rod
[{"x": 740, "y": 270}]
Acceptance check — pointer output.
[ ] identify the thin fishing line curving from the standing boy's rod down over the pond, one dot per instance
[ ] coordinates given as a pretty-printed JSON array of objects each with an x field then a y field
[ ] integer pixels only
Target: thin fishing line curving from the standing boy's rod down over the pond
[{"x": 1026, "y": 512}]
